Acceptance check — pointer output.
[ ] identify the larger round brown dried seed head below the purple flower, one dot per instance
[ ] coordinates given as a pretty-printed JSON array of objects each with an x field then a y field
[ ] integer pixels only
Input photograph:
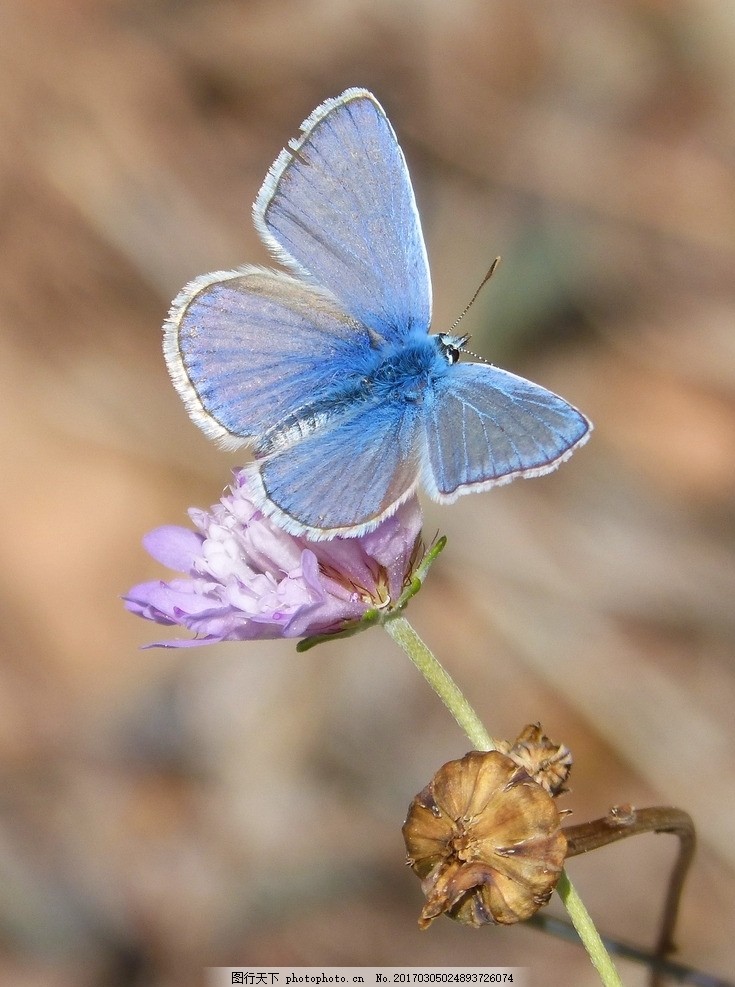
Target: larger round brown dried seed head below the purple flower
[{"x": 486, "y": 841}]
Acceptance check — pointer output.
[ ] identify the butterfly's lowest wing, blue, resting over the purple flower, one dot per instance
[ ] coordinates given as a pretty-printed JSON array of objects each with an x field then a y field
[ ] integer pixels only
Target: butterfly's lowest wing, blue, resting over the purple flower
[{"x": 345, "y": 477}]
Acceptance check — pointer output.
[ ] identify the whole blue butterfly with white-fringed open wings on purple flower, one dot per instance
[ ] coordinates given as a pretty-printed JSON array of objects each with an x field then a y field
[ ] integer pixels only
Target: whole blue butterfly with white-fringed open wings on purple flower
[{"x": 330, "y": 372}]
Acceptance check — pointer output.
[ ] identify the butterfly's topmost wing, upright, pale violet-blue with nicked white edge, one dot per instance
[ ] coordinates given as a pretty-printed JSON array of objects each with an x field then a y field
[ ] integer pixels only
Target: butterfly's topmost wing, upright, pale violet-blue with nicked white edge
[{"x": 338, "y": 207}]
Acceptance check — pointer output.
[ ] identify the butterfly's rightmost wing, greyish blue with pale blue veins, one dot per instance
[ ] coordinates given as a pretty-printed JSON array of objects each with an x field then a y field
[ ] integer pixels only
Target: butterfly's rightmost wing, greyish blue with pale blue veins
[{"x": 485, "y": 426}]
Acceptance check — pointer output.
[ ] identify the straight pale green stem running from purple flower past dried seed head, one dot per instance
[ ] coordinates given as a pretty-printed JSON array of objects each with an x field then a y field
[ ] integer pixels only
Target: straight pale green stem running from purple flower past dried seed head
[{"x": 449, "y": 693}]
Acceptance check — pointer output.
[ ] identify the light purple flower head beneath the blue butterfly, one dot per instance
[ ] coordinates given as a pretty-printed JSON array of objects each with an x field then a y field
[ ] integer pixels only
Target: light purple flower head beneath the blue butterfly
[{"x": 245, "y": 578}]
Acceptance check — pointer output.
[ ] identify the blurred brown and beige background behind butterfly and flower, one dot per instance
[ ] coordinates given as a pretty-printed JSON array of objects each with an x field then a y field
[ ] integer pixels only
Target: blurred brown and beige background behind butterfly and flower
[{"x": 163, "y": 811}]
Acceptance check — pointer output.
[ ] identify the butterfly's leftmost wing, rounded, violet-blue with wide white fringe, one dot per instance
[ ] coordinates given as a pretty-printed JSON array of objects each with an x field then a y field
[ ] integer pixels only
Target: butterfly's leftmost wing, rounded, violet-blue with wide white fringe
[{"x": 252, "y": 348}]
